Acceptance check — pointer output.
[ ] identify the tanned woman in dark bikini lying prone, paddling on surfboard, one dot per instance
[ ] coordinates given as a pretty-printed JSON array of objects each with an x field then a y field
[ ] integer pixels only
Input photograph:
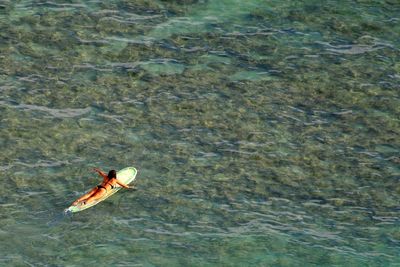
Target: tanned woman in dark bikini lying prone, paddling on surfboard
[{"x": 109, "y": 182}]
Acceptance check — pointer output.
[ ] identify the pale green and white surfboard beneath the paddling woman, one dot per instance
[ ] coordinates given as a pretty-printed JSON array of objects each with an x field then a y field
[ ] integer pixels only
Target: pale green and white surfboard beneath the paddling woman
[{"x": 126, "y": 176}]
